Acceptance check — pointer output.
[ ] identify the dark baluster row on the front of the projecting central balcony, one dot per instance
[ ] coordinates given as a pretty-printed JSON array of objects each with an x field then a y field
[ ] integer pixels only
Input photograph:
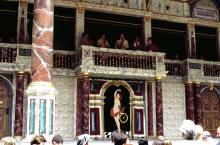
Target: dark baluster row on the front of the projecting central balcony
[{"x": 102, "y": 58}]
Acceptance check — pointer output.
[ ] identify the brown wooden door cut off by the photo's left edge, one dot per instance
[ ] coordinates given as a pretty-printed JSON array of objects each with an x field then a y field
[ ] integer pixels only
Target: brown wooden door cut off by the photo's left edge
[{"x": 4, "y": 106}]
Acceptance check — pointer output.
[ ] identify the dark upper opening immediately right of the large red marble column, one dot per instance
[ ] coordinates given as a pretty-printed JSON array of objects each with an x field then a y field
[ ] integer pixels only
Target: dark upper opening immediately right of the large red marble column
[{"x": 64, "y": 32}]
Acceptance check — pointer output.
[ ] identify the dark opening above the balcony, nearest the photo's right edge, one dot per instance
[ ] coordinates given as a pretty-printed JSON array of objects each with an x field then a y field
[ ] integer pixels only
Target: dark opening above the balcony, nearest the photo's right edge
[{"x": 206, "y": 43}]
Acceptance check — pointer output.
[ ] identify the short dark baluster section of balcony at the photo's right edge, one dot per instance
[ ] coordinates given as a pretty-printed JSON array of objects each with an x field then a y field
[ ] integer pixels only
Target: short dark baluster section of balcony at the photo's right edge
[{"x": 212, "y": 70}]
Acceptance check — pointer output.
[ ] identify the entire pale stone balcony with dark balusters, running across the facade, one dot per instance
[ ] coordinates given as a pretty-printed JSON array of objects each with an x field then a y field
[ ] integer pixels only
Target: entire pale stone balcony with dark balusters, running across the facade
[{"x": 111, "y": 63}]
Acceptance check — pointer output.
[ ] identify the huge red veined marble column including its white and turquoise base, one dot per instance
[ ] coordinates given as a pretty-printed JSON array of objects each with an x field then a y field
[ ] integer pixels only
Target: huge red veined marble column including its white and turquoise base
[{"x": 41, "y": 92}]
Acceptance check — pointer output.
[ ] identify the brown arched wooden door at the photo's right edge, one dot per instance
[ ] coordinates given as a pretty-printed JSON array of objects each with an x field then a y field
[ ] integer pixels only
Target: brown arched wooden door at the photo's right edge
[{"x": 211, "y": 108}]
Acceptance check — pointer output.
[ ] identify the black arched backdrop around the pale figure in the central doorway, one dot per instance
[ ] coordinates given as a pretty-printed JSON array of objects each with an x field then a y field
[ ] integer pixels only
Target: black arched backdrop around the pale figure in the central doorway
[{"x": 109, "y": 121}]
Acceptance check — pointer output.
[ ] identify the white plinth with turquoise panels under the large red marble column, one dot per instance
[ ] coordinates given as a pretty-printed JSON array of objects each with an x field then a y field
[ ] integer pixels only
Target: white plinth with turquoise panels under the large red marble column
[{"x": 41, "y": 104}]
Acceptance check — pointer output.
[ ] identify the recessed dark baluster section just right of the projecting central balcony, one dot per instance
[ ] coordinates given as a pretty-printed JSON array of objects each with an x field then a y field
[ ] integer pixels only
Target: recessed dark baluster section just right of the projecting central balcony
[{"x": 175, "y": 68}]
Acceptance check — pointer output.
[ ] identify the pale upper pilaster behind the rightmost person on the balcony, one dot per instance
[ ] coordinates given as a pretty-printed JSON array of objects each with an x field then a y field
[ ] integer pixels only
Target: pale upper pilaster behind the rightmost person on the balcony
[{"x": 147, "y": 28}]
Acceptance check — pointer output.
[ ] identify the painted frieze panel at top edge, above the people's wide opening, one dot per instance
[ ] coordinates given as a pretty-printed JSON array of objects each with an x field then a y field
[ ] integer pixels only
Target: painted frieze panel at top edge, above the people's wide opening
[{"x": 131, "y": 4}]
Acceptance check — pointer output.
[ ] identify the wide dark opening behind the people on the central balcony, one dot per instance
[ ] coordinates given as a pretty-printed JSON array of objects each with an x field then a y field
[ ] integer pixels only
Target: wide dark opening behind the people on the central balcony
[{"x": 111, "y": 25}]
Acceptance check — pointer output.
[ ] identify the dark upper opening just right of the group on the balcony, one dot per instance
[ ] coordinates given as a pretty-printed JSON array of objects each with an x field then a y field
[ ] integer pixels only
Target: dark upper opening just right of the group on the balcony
[{"x": 170, "y": 38}]
